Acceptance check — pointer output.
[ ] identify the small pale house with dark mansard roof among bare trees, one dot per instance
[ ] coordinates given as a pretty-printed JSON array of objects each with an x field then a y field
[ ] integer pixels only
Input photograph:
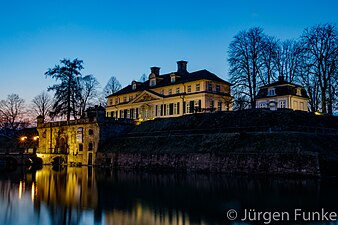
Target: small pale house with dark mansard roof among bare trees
[{"x": 282, "y": 94}]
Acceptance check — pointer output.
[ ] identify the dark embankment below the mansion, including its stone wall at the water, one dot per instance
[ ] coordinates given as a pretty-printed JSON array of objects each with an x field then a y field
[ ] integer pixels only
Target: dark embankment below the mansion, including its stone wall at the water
[{"x": 245, "y": 142}]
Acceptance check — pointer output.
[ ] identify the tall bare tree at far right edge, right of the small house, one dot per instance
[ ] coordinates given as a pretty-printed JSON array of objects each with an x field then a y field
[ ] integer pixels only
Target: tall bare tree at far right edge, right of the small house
[{"x": 320, "y": 44}]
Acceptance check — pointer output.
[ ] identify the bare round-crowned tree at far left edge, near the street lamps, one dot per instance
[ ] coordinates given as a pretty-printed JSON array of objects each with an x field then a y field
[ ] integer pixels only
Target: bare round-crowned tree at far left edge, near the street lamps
[{"x": 12, "y": 111}]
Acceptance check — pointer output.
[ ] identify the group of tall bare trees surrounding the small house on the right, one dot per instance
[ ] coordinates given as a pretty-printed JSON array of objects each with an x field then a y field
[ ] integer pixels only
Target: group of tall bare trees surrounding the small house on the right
[{"x": 257, "y": 59}]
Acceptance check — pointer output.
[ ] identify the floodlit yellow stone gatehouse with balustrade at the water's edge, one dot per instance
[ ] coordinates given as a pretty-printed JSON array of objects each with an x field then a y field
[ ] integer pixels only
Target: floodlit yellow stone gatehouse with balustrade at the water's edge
[{"x": 75, "y": 141}]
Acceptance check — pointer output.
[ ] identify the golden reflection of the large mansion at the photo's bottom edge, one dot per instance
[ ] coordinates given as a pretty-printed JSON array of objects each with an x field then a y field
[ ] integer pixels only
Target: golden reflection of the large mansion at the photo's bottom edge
[{"x": 141, "y": 215}]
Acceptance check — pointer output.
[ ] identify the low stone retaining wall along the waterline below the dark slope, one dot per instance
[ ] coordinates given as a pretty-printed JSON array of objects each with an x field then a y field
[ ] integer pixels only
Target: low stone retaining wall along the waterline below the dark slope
[{"x": 304, "y": 164}]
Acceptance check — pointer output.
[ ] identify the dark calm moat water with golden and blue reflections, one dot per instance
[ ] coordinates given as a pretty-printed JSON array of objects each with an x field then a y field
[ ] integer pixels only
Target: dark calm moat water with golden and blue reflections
[{"x": 85, "y": 195}]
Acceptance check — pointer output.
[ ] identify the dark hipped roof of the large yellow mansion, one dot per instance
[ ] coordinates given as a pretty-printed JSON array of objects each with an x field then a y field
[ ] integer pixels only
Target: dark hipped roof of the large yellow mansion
[{"x": 165, "y": 80}]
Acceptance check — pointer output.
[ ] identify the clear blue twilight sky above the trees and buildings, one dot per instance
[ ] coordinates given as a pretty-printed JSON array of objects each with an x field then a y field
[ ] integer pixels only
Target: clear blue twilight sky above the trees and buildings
[{"x": 126, "y": 38}]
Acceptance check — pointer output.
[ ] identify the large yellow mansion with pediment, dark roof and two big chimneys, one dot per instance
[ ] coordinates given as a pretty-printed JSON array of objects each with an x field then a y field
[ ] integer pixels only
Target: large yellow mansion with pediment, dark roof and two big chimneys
[{"x": 170, "y": 95}]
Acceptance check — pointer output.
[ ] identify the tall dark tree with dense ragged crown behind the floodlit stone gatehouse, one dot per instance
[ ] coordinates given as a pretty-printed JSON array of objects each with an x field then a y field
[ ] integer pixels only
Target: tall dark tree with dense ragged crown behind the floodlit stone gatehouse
[{"x": 68, "y": 92}]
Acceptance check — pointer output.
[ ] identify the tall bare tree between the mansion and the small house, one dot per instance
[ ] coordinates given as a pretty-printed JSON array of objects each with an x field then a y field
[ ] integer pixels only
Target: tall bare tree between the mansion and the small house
[{"x": 246, "y": 61}]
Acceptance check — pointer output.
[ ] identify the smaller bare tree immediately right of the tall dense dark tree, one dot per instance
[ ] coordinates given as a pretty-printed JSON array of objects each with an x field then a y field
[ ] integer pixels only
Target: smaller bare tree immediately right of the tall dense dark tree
[{"x": 89, "y": 86}]
